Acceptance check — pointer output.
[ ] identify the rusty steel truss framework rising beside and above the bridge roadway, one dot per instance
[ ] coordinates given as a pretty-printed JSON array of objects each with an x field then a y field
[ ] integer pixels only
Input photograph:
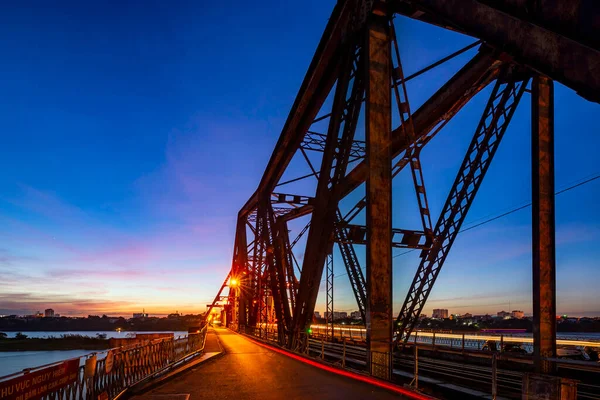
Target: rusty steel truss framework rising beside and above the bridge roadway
[{"x": 356, "y": 75}]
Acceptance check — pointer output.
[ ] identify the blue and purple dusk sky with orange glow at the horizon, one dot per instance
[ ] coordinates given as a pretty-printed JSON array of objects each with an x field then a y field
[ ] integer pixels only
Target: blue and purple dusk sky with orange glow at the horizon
[{"x": 133, "y": 133}]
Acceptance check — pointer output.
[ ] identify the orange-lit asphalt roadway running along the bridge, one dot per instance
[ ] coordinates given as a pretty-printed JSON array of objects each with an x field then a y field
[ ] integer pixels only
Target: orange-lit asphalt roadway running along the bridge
[{"x": 249, "y": 371}]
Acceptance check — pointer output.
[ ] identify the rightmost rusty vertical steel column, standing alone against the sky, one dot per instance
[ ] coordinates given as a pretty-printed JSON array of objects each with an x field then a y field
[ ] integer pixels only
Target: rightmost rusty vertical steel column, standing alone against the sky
[{"x": 543, "y": 251}]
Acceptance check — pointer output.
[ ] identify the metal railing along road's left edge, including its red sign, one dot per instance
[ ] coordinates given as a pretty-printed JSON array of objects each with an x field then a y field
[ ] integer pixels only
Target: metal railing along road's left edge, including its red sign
[{"x": 102, "y": 375}]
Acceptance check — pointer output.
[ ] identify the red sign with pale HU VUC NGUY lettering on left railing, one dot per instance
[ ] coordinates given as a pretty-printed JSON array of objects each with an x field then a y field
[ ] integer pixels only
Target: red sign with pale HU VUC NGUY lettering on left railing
[{"x": 39, "y": 383}]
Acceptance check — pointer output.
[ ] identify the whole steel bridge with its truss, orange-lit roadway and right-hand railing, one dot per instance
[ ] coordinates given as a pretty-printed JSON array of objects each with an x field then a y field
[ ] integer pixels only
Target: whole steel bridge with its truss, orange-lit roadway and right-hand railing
[{"x": 267, "y": 347}]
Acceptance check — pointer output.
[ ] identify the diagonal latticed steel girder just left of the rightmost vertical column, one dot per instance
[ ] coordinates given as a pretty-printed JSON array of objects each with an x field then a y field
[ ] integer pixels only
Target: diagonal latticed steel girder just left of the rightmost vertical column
[{"x": 496, "y": 117}]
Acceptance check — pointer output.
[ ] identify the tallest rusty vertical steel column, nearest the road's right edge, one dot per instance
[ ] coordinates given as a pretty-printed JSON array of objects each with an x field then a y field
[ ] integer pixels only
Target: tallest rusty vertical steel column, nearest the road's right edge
[{"x": 379, "y": 197}]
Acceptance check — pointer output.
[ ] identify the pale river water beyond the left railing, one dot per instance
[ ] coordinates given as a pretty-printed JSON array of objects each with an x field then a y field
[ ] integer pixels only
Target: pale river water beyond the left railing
[{"x": 15, "y": 361}]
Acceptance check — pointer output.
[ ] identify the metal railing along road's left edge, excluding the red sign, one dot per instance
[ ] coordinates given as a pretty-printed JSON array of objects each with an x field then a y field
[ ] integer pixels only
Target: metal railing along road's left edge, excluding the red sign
[{"x": 107, "y": 374}]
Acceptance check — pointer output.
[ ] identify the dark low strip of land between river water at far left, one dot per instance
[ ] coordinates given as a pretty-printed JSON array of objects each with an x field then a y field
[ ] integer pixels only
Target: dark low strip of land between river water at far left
[{"x": 54, "y": 343}]
